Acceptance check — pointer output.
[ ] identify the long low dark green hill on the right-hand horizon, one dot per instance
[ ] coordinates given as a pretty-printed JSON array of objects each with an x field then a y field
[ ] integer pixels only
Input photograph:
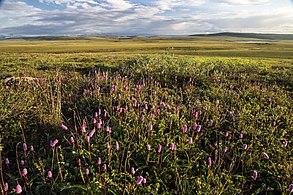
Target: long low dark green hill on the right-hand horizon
[{"x": 250, "y": 35}]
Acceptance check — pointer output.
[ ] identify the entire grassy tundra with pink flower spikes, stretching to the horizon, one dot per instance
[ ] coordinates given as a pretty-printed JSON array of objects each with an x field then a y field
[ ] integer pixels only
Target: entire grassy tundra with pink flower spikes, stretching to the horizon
[{"x": 146, "y": 115}]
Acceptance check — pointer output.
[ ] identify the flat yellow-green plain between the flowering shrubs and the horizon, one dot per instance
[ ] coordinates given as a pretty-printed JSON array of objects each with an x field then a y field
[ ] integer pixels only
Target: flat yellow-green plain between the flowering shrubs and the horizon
[{"x": 194, "y": 46}]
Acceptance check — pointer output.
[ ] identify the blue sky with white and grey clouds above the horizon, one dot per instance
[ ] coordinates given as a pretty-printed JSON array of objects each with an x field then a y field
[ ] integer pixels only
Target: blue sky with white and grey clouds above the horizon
[{"x": 143, "y": 17}]
